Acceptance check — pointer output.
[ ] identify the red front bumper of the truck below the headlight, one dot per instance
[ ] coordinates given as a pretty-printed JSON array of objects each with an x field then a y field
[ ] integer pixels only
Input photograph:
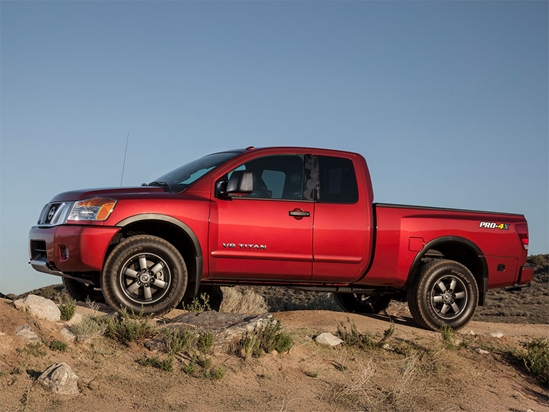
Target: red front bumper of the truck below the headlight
[{"x": 68, "y": 249}]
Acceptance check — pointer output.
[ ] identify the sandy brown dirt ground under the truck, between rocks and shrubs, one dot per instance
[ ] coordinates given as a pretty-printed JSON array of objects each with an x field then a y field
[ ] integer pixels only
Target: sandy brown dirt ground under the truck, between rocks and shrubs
[{"x": 415, "y": 371}]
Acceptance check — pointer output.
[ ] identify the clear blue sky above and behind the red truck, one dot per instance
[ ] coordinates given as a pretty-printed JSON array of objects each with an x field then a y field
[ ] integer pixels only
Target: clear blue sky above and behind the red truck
[{"x": 448, "y": 101}]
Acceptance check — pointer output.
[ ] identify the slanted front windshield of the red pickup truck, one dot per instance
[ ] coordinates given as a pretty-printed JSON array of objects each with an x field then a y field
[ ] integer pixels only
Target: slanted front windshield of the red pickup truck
[{"x": 182, "y": 177}]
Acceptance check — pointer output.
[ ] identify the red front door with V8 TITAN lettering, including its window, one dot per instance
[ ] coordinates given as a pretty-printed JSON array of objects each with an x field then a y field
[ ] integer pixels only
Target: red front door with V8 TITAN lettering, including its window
[{"x": 267, "y": 234}]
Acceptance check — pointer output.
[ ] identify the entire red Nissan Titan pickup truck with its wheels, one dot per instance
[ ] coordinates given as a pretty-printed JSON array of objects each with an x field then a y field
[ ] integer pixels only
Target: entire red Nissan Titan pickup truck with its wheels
[{"x": 286, "y": 216}]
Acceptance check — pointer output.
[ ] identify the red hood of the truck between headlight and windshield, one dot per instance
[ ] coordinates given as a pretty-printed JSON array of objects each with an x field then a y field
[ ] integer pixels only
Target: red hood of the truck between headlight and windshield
[{"x": 114, "y": 193}]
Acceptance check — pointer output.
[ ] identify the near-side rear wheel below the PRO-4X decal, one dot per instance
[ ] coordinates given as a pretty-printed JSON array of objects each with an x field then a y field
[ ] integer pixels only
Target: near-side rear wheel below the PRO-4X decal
[{"x": 444, "y": 292}]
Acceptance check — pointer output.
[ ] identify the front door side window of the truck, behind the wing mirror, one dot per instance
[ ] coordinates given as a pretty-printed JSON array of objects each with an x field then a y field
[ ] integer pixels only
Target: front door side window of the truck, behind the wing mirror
[{"x": 276, "y": 177}]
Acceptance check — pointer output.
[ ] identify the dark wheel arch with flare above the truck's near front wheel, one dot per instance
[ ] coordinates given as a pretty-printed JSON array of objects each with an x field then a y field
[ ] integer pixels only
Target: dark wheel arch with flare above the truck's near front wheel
[{"x": 173, "y": 231}]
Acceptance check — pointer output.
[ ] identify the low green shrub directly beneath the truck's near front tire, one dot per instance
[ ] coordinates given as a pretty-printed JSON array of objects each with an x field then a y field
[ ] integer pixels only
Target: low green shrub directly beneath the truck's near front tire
[{"x": 125, "y": 329}]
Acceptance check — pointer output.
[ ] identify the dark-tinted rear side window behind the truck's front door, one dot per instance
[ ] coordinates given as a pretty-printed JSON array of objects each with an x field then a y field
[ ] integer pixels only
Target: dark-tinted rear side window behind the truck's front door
[{"x": 337, "y": 180}]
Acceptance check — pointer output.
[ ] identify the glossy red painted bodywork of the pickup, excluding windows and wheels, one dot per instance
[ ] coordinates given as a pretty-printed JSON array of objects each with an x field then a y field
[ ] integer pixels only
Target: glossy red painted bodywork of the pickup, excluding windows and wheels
[{"x": 260, "y": 241}]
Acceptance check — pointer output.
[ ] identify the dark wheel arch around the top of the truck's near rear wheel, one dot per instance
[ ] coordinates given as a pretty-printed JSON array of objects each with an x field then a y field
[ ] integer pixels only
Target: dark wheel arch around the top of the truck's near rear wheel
[{"x": 458, "y": 249}]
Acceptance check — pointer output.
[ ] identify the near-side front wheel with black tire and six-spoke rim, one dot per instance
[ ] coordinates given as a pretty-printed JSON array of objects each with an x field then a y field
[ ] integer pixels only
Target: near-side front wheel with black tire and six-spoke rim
[{"x": 144, "y": 274}]
